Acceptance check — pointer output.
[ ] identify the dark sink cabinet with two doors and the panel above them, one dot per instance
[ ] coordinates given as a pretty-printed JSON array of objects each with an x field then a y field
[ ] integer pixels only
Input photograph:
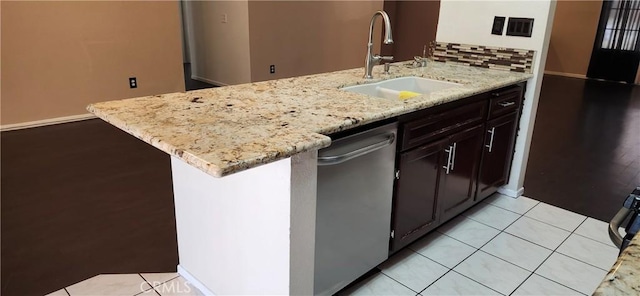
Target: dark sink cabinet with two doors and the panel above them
[{"x": 437, "y": 169}]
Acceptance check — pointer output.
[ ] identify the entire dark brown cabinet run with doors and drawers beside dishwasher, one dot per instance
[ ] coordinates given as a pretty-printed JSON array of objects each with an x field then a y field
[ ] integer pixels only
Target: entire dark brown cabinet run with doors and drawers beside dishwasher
[{"x": 449, "y": 158}]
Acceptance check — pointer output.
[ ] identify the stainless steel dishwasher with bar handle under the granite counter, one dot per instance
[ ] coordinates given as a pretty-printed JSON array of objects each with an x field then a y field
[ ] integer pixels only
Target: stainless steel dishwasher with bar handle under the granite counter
[{"x": 353, "y": 217}]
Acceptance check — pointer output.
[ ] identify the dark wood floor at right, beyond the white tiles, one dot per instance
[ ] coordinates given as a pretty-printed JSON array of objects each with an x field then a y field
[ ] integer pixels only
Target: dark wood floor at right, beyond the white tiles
[{"x": 585, "y": 153}]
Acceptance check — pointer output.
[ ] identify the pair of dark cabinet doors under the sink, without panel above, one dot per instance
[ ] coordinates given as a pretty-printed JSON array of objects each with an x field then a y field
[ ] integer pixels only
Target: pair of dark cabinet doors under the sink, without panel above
[{"x": 436, "y": 182}]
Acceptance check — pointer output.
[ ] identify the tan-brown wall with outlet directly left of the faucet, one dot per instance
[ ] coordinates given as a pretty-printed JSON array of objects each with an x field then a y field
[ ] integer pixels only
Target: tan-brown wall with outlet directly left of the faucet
[{"x": 305, "y": 37}]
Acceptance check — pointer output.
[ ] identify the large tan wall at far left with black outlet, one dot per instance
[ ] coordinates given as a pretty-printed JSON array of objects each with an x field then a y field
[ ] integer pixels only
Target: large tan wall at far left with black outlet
[{"x": 57, "y": 57}]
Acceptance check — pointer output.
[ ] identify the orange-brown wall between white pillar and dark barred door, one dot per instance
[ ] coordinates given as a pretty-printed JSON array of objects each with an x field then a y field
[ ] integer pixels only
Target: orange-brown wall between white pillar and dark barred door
[{"x": 572, "y": 37}]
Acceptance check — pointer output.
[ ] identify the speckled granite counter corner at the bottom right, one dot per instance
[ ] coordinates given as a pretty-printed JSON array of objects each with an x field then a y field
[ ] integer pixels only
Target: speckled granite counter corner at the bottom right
[{"x": 624, "y": 276}]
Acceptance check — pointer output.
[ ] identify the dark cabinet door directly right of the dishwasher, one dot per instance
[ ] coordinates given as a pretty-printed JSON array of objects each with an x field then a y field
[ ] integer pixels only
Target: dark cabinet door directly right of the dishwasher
[{"x": 415, "y": 209}]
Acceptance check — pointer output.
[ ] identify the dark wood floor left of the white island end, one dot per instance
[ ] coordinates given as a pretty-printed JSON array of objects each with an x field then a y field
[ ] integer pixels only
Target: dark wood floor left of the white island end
[{"x": 81, "y": 199}]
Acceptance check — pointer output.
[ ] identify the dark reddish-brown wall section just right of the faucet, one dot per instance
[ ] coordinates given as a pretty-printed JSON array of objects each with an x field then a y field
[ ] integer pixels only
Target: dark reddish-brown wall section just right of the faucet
[{"x": 414, "y": 26}]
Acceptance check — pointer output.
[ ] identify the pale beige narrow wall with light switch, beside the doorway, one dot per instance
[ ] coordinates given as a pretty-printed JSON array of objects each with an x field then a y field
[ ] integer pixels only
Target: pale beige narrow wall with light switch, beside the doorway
[{"x": 220, "y": 53}]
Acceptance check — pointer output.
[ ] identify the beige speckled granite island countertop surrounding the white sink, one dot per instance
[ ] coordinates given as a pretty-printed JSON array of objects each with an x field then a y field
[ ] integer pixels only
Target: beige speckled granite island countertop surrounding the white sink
[{"x": 229, "y": 129}]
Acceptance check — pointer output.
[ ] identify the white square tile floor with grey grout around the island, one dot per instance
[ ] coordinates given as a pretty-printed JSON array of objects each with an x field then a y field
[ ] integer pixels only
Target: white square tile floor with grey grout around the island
[{"x": 503, "y": 246}]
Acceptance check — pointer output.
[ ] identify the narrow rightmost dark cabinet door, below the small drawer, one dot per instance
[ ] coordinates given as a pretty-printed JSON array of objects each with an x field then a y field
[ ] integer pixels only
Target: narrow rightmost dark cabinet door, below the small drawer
[{"x": 497, "y": 154}]
